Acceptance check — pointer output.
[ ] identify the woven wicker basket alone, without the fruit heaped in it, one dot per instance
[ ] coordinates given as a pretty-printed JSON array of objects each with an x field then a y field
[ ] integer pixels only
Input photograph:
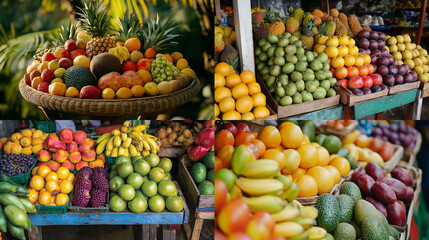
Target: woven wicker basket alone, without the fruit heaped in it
[{"x": 111, "y": 107}]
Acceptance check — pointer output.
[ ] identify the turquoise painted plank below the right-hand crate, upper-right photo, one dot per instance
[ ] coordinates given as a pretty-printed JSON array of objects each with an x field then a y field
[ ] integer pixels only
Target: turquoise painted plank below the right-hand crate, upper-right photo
[{"x": 378, "y": 105}]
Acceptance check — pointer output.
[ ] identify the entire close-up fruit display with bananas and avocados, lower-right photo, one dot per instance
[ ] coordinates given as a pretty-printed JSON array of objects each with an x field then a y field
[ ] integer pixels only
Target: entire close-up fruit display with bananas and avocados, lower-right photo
[{"x": 257, "y": 199}]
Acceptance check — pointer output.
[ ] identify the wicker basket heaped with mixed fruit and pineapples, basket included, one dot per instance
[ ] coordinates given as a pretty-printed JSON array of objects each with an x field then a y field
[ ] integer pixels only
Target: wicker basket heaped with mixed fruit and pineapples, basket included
[{"x": 90, "y": 63}]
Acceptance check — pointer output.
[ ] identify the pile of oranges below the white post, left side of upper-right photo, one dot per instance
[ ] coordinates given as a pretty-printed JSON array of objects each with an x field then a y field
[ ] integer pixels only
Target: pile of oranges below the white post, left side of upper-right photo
[{"x": 238, "y": 97}]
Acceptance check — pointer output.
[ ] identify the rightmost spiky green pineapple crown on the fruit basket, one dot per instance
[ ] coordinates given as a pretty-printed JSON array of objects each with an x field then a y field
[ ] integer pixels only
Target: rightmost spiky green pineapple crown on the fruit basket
[{"x": 158, "y": 34}]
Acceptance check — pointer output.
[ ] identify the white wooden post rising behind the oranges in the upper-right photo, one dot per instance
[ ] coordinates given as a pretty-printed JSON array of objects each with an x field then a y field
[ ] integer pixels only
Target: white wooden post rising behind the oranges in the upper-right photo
[{"x": 243, "y": 30}]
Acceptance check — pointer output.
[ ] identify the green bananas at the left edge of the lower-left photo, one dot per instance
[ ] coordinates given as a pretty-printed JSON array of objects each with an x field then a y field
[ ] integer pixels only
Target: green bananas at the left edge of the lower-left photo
[{"x": 14, "y": 206}]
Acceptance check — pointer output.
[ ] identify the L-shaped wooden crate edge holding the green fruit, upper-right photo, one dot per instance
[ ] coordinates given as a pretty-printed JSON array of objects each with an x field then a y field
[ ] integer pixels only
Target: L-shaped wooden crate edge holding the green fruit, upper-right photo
[{"x": 296, "y": 109}]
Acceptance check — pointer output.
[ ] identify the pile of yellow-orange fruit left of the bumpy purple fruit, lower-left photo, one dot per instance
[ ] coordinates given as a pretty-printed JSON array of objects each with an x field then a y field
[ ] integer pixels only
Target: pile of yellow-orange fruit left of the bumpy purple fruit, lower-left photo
[{"x": 49, "y": 188}]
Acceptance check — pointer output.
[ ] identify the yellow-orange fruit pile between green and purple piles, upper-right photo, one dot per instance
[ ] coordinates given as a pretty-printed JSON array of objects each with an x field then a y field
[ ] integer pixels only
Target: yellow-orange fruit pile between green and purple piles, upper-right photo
[{"x": 344, "y": 57}]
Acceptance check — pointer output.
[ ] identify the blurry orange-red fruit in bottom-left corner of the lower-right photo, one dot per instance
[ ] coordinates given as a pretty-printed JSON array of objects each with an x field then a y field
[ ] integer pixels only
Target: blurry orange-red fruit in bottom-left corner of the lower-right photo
[{"x": 234, "y": 217}]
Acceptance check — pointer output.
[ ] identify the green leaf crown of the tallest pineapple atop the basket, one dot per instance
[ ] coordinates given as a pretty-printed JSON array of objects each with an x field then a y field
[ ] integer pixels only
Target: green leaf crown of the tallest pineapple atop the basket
[{"x": 95, "y": 19}]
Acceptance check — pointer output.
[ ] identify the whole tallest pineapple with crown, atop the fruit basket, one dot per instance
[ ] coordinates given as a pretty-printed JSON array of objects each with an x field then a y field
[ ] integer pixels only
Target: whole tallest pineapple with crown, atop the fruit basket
[{"x": 95, "y": 21}]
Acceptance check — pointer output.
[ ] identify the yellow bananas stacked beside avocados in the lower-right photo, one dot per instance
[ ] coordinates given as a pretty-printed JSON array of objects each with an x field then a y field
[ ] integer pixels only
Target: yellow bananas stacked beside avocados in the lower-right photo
[{"x": 263, "y": 188}]
